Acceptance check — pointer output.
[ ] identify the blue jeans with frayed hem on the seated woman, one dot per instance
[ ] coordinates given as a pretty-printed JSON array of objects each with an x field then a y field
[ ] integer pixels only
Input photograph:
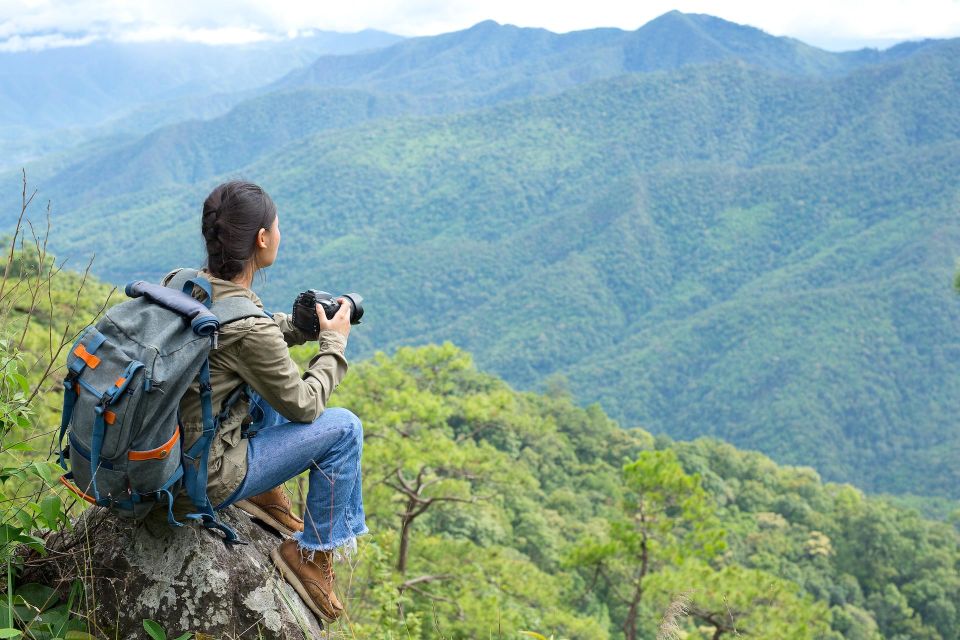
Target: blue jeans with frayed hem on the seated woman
[{"x": 330, "y": 447}]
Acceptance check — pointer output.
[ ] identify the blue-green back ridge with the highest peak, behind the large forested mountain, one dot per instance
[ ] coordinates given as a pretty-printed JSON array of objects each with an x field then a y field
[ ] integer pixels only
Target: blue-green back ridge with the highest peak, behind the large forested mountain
[{"x": 485, "y": 65}]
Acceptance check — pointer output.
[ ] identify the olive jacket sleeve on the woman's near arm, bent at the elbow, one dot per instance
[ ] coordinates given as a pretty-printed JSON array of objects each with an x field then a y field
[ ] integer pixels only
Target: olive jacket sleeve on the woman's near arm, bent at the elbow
[{"x": 265, "y": 364}]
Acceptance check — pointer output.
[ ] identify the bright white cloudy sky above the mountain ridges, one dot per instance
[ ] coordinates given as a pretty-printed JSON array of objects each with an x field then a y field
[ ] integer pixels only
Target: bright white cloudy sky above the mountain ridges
[{"x": 831, "y": 24}]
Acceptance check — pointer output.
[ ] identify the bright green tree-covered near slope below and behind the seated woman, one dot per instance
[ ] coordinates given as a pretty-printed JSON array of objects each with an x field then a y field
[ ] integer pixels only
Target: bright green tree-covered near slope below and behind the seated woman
[{"x": 534, "y": 514}]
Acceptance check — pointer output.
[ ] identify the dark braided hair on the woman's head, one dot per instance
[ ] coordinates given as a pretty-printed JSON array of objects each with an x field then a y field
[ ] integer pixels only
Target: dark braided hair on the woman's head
[{"x": 233, "y": 215}]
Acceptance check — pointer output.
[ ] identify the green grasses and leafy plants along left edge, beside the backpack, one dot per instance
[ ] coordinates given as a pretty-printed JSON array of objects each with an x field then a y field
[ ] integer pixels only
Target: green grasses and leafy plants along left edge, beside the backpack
[{"x": 40, "y": 308}]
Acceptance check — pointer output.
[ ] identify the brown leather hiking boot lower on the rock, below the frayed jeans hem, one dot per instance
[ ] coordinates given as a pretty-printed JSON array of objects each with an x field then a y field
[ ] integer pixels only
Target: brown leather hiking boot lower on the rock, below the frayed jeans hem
[{"x": 311, "y": 574}]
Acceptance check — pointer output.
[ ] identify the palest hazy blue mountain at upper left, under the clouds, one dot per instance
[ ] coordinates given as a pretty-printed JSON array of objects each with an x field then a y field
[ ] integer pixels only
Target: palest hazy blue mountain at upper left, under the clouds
[{"x": 56, "y": 97}]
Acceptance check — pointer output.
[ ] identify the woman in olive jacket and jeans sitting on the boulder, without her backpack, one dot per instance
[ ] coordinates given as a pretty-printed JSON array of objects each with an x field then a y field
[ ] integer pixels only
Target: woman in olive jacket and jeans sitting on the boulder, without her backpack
[{"x": 242, "y": 233}]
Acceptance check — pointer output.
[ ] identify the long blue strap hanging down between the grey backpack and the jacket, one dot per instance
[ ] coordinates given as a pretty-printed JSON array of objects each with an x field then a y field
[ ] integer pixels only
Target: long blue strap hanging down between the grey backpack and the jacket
[{"x": 195, "y": 463}]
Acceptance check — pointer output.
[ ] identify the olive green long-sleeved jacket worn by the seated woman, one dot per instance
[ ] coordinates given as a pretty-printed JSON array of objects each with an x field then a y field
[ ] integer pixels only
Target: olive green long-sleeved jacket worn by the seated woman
[{"x": 254, "y": 351}]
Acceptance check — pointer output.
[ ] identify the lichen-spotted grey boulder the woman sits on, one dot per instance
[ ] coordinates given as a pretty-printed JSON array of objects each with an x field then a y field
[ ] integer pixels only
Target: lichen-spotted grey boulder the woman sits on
[{"x": 185, "y": 578}]
